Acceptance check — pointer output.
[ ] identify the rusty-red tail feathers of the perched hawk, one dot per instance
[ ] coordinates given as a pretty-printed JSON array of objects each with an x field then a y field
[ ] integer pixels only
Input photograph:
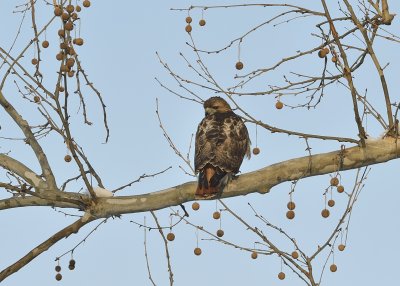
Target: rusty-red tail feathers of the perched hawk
[{"x": 212, "y": 180}]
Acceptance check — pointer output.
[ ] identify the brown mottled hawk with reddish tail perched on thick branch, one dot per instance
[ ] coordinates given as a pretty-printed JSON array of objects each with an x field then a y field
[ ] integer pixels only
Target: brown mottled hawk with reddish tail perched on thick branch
[{"x": 222, "y": 141}]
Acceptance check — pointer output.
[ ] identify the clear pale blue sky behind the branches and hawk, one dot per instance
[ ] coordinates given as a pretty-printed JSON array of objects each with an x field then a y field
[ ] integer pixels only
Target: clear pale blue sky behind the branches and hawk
[{"x": 119, "y": 55}]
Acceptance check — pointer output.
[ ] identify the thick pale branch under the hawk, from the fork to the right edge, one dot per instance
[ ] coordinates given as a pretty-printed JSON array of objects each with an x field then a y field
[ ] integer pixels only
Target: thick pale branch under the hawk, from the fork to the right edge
[{"x": 260, "y": 181}]
